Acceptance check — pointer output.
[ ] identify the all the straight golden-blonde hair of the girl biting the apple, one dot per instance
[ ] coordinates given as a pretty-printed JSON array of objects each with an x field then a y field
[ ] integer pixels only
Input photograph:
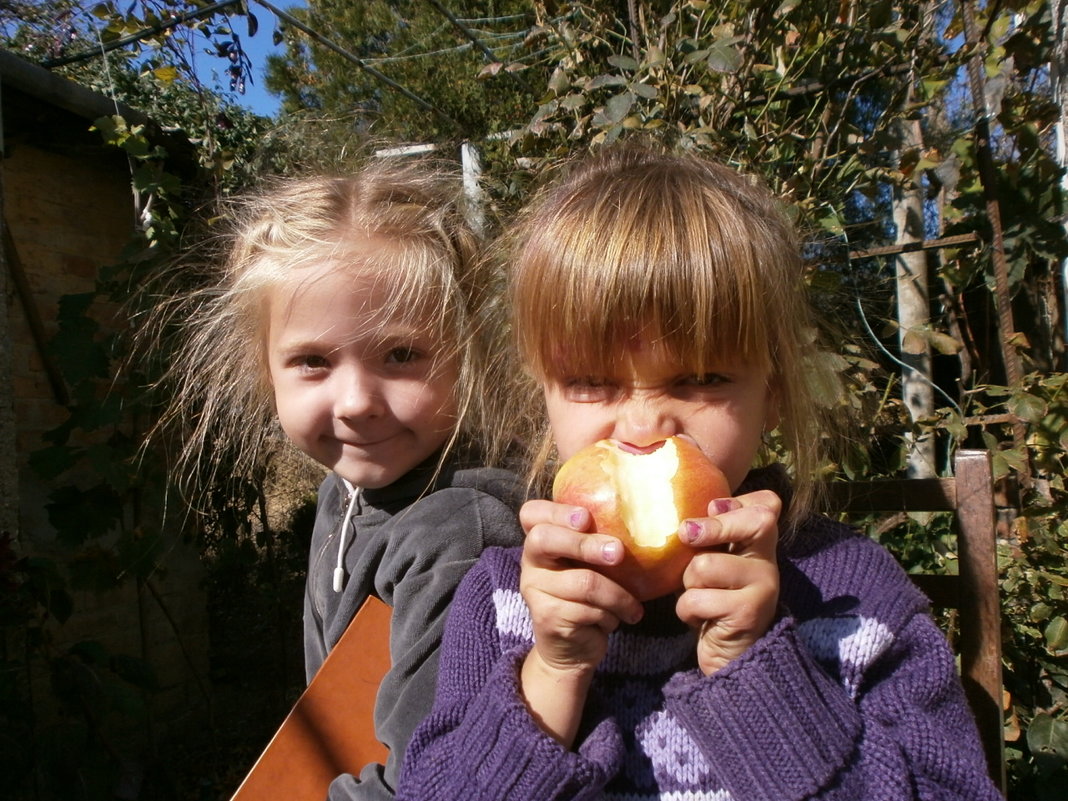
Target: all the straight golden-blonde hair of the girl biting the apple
[{"x": 636, "y": 237}]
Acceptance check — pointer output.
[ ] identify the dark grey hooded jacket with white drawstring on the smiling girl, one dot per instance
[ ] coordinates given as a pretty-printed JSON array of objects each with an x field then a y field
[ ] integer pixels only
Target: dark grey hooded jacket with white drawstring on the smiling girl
[{"x": 409, "y": 544}]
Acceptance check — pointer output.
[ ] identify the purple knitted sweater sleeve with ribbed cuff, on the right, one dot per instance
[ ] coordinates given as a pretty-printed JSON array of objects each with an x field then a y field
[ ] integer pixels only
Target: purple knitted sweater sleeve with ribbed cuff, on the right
[{"x": 777, "y": 725}]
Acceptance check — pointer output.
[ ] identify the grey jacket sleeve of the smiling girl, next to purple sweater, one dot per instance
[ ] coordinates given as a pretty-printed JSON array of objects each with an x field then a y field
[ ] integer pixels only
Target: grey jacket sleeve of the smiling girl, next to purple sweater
[{"x": 432, "y": 545}]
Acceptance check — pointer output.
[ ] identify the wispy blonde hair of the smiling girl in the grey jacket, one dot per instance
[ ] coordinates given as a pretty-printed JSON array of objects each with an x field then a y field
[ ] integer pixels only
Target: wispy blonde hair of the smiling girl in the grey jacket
[{"x": 219, "y": 379}]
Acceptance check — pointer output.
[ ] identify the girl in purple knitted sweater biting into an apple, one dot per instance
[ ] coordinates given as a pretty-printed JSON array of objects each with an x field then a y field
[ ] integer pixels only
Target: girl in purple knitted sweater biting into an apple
[{"x": 659, "y": 296}]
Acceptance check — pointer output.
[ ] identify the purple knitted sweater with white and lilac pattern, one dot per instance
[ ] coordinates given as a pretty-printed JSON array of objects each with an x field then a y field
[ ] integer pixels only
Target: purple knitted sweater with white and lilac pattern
[{"x": 852, "y": 696}]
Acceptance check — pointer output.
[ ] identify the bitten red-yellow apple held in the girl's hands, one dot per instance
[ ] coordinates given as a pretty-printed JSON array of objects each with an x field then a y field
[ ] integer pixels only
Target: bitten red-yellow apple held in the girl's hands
[{"x": 642, "y": 497}]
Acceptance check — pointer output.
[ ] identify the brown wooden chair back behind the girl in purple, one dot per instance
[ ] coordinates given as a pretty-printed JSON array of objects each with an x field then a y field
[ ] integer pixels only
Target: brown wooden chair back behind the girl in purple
[{"x": 975, "y": 592}]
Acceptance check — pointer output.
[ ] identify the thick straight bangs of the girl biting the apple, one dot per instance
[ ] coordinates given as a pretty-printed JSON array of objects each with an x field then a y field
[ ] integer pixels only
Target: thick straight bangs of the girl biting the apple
[{"x": 665, "y": 259}]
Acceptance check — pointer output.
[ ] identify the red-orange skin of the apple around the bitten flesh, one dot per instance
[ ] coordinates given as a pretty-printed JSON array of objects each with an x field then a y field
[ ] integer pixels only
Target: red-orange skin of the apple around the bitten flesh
[{"x": 647, "y": 573}]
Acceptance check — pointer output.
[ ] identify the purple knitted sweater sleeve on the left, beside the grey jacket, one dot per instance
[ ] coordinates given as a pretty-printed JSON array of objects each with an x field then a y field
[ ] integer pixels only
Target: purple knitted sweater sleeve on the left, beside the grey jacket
[{"x": 481, "y": 742}]
